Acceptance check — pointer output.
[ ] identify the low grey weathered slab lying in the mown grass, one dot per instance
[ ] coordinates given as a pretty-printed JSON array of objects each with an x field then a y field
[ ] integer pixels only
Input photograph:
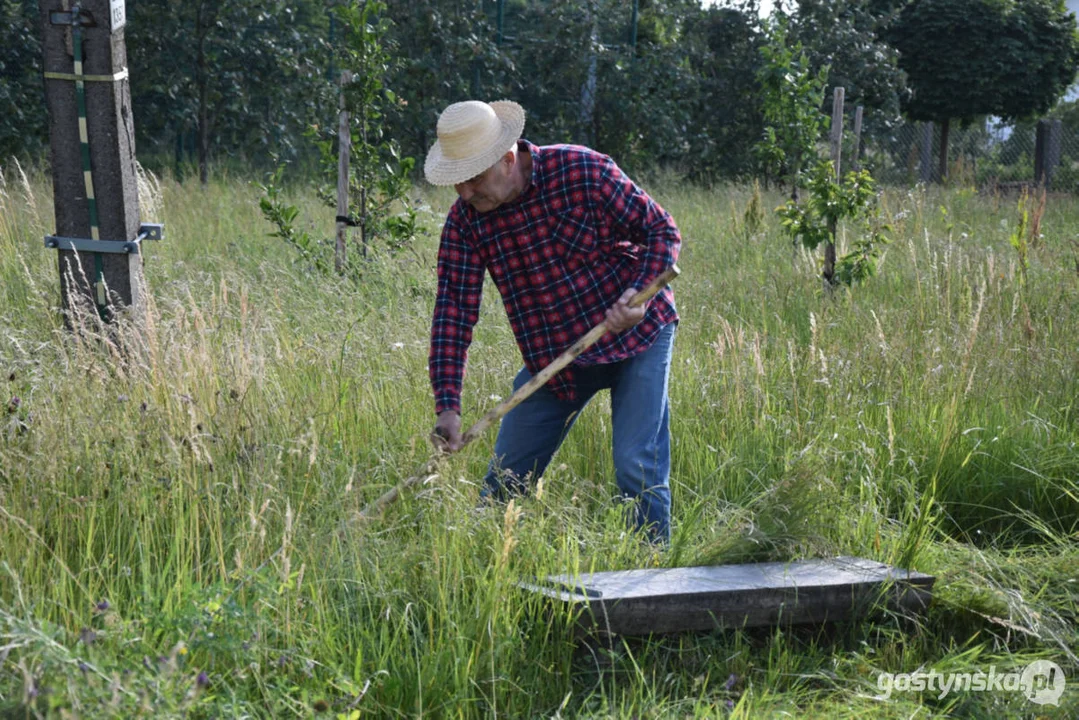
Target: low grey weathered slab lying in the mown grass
[{"x": 734, "y": 596}]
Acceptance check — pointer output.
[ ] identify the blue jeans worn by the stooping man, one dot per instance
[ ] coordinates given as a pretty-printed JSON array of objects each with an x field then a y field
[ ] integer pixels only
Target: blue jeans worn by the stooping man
[{"x": 640, "y": 419}]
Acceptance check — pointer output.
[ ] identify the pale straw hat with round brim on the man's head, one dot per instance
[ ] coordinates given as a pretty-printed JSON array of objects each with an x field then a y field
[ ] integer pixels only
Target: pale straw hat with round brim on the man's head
[{"x": 472, "y": 137}]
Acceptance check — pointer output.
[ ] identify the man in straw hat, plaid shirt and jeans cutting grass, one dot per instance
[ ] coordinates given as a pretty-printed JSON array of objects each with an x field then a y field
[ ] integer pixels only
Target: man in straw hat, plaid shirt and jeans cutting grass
[{"x": 568, "y": 240}]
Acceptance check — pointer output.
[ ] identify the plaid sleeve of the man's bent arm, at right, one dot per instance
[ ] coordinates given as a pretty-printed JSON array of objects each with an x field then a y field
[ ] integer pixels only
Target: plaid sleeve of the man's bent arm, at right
[{"x": 643, "y": 220}]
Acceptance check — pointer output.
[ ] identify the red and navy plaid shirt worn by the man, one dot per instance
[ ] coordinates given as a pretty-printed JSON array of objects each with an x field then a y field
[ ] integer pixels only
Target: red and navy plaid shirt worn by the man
[{"x": 561, "y": 254}]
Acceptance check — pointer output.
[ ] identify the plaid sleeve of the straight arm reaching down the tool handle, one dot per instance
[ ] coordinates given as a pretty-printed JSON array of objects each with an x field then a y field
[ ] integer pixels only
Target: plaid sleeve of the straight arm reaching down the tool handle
[{"x": 457, "y": 310}]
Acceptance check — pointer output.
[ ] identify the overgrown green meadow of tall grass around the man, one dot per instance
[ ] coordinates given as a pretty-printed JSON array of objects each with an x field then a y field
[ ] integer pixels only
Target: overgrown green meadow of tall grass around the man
[{"x": 174, "y": 535}]
